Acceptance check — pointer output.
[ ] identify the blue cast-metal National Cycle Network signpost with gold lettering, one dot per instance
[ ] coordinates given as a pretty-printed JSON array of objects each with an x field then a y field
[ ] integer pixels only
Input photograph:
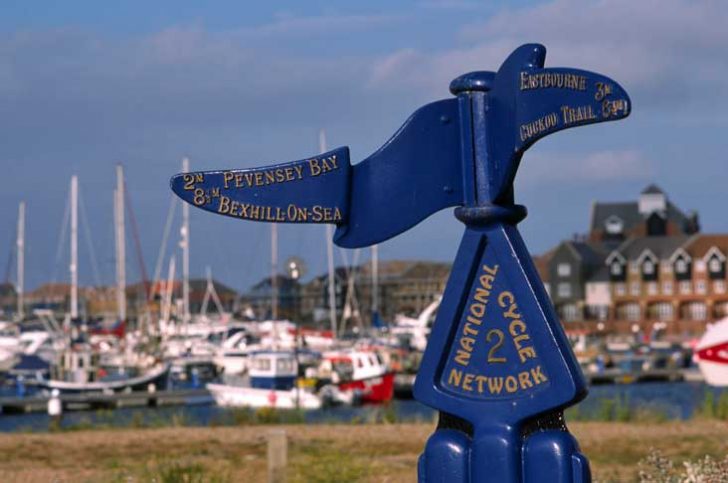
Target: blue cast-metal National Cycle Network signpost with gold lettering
[{"x": 498, "y": 365}]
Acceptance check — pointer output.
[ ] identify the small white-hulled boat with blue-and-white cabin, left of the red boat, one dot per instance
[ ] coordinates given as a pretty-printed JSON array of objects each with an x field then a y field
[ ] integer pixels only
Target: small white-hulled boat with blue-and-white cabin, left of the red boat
[{"x": 270, "y": 382}]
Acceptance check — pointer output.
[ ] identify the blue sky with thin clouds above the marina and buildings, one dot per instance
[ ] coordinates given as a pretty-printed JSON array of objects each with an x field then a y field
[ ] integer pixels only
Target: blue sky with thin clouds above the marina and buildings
[{"x": 85, "y": 85}]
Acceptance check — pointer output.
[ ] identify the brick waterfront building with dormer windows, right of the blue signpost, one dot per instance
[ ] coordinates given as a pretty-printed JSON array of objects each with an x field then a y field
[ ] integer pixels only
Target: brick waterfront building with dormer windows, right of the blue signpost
[{"x": 643, "y": 266}]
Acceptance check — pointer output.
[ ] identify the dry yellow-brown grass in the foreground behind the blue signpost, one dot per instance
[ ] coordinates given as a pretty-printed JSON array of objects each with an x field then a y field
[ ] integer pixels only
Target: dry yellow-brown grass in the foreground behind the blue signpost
[{"x": 316, "y": 452}]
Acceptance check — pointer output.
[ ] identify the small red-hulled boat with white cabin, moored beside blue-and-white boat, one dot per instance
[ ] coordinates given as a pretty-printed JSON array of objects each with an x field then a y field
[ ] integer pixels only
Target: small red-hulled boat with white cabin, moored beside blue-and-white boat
[{"x": 360, "y": 376}]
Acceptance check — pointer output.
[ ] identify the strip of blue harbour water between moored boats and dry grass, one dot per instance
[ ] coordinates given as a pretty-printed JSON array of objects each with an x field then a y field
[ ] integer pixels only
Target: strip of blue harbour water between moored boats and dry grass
[{"x": 669, "y": 400}]
